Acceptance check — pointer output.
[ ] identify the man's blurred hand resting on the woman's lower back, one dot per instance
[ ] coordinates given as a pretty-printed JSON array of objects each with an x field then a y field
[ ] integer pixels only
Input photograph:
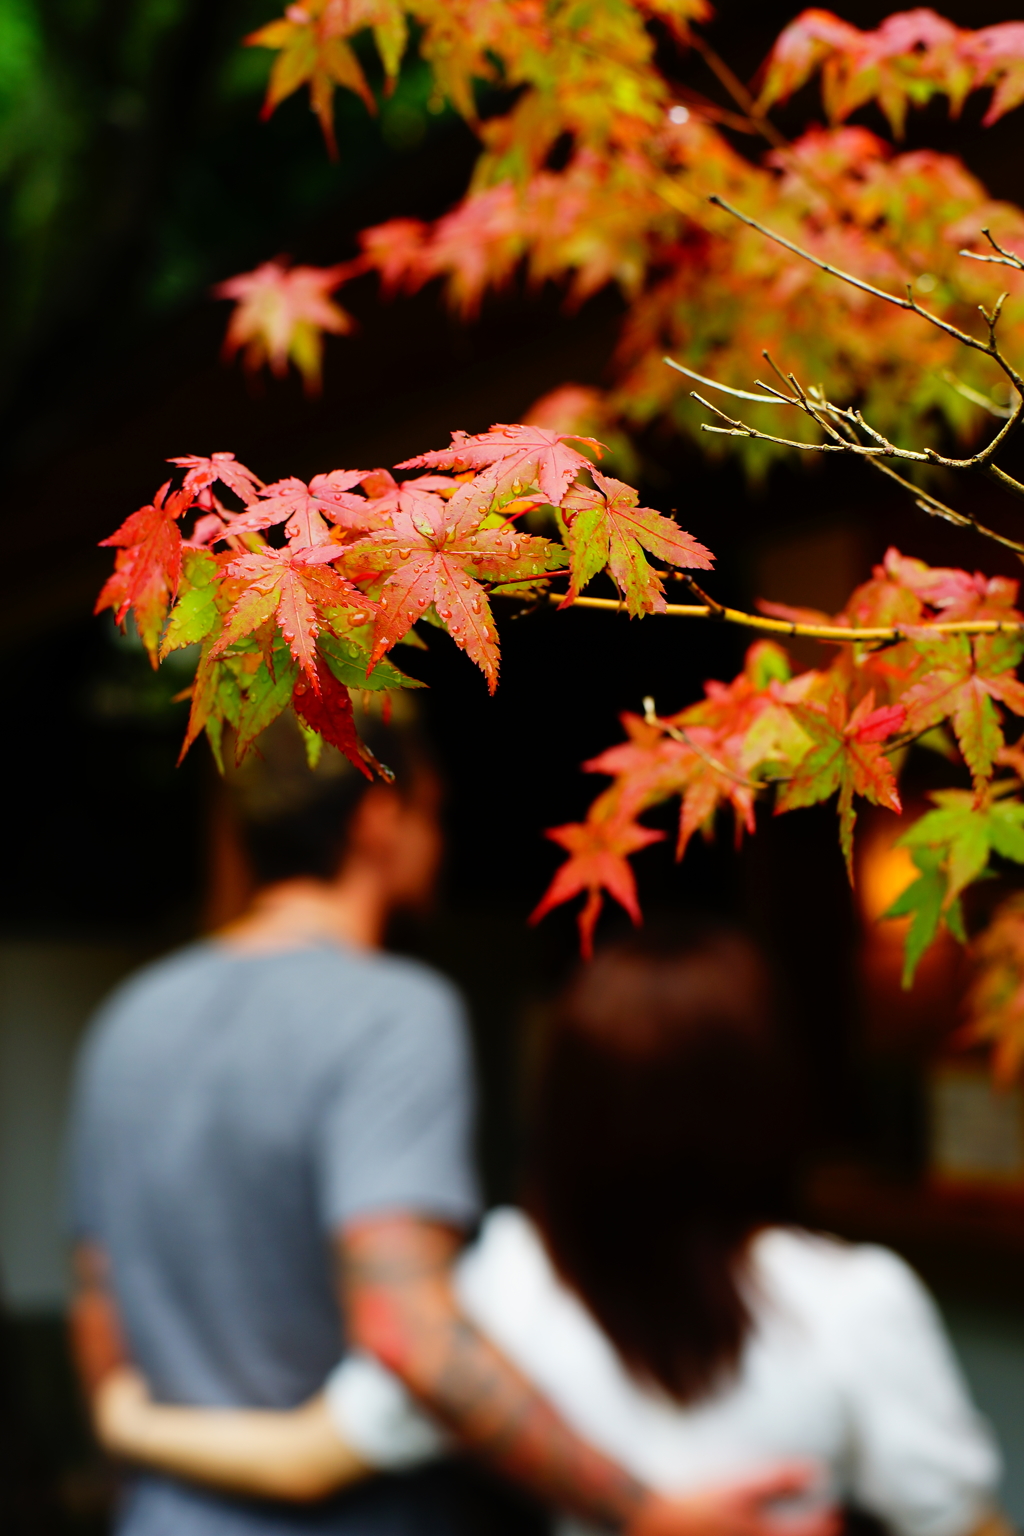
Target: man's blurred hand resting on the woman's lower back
[{"x": 742, "y": 1509}]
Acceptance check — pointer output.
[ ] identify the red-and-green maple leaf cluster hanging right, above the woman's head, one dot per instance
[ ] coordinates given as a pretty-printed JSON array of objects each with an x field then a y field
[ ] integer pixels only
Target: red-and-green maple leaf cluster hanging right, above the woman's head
[{"x": 842, "y": 729}]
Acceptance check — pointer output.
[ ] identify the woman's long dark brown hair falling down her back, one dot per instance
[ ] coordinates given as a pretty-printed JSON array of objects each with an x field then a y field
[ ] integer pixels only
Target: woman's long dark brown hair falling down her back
[{"x": 661, "y": 1144}]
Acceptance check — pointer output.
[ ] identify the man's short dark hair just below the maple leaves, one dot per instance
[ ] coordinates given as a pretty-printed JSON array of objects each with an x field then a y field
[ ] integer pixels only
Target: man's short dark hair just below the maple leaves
[{"x": 294, "y": 819}]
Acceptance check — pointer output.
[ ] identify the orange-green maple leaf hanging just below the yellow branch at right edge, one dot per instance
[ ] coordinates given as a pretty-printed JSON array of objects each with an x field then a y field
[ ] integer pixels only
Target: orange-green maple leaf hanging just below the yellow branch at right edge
[{"x": 954, "y": 689}]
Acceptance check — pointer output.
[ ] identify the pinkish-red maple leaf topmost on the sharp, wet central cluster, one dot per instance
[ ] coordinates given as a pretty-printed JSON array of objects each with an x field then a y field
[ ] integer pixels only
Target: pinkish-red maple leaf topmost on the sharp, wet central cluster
[{"x": 518, "y": 455}]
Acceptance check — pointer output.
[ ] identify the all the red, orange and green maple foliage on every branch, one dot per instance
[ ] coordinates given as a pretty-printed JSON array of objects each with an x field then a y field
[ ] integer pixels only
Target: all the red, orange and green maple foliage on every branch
[{"x": 600, "y": 168}]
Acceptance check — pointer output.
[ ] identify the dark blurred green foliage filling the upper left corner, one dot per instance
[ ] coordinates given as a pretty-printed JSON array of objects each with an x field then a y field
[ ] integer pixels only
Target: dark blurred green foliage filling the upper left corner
[{"x": 136, "y": 173}]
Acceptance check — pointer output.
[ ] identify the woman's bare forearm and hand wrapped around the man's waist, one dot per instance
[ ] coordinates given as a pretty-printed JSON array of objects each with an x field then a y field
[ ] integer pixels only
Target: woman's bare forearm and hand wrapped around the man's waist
[{"x": 294, "y": 1455}]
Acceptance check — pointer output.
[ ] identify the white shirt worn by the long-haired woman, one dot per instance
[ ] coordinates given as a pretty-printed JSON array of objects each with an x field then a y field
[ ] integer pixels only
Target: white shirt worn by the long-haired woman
[{"x": 847, "y": 1365}]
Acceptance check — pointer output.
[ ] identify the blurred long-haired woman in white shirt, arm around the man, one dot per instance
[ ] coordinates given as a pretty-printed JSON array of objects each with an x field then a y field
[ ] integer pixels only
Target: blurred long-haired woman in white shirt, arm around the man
[{"x": 655, "y": 1289}]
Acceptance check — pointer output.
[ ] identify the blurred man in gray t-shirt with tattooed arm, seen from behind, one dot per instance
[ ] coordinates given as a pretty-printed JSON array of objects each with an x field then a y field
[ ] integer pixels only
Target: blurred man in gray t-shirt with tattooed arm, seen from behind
[{"x": 273, "y": 1165}]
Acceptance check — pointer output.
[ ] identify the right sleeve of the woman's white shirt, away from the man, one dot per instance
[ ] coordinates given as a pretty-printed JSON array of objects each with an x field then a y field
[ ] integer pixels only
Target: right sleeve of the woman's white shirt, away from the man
[{"x": 923, "y": 1458}]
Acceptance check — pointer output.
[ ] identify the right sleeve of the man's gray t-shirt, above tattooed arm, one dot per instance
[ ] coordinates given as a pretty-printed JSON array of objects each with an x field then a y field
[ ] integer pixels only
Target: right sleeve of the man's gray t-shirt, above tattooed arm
[{"x": 397, "y": 1134}]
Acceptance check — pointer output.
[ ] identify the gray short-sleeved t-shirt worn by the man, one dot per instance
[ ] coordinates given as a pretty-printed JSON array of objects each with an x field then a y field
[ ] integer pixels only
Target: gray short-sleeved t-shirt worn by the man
[{"x": 233, "y": 1113}]
